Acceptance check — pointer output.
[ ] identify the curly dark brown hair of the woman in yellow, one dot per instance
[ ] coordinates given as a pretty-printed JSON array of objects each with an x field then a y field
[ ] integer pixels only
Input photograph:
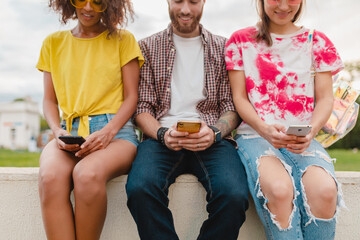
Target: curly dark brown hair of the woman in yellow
[{"x": 116, "y": 14}]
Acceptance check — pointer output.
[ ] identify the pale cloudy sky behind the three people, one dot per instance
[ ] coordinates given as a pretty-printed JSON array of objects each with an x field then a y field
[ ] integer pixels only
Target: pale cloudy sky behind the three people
[{"x": 25, "y": 23}]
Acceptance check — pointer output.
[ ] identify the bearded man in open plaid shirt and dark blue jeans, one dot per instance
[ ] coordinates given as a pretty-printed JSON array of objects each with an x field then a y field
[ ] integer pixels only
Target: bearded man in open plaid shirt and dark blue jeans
[{"x": 184, "y": 78}]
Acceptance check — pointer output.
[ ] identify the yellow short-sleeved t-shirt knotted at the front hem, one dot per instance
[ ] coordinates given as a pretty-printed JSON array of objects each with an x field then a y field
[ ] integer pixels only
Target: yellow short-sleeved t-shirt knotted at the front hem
[{"x": 86, "y": 73}]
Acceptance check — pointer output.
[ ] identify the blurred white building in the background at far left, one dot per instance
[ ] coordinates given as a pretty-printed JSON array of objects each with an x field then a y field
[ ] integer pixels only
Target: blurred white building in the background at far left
[{"x": 19, "y": 124}]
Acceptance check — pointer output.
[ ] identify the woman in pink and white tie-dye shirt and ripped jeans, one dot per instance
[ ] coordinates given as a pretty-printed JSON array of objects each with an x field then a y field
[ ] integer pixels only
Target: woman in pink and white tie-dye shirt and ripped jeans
[{"x": 291, "y": 178}]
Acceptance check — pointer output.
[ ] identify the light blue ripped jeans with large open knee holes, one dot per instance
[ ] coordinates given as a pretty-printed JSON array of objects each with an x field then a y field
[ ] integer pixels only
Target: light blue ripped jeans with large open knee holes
[{"x": 302, "y": 223}]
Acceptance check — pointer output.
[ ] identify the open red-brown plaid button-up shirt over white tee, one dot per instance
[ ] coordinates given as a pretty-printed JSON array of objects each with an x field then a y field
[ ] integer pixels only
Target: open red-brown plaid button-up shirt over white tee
[{"x": 155, "y": 76}]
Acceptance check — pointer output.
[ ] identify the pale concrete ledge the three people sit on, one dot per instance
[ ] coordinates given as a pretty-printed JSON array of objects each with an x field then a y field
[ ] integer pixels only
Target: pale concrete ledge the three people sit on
[{"x": 21, "y": 216}]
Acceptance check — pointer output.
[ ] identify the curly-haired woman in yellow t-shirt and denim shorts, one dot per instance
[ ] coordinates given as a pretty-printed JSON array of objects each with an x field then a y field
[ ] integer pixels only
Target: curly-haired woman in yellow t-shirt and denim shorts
[{"x": 91, "y": 73}]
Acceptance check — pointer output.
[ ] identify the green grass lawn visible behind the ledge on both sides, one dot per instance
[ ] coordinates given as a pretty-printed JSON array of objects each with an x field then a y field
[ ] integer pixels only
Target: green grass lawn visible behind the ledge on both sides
[{"x": 347, "y": 160}]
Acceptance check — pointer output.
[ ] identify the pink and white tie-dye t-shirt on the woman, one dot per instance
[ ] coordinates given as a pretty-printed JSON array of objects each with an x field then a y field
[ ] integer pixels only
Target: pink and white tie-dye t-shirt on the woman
[{"x": 278, "y": 78}]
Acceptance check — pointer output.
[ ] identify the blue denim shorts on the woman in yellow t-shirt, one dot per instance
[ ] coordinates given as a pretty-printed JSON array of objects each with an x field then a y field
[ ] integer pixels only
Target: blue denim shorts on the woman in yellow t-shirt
[{"x": 97, "y": 122}]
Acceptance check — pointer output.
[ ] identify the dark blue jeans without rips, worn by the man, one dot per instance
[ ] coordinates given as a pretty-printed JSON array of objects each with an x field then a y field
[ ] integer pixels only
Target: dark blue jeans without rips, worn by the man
[{"x": 219, "y": 170}]
